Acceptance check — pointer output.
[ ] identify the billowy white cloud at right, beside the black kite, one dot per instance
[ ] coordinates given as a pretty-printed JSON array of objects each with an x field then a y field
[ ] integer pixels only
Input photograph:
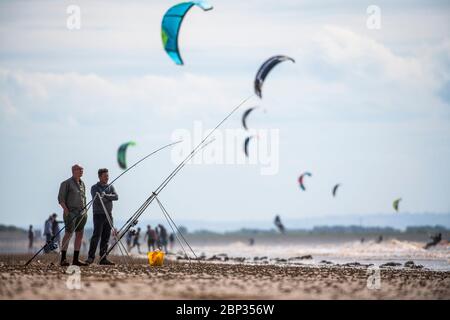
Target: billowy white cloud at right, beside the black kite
[{"x": 357, "y": 75}]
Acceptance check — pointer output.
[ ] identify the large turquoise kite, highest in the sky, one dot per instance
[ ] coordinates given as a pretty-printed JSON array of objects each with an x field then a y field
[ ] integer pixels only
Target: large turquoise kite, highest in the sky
[{"x": 171, "y": 23}]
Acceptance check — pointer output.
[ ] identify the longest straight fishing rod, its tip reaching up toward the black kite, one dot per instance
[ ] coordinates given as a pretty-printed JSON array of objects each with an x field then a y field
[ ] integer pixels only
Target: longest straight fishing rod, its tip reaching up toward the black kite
[{"x": 133, "y": 219}]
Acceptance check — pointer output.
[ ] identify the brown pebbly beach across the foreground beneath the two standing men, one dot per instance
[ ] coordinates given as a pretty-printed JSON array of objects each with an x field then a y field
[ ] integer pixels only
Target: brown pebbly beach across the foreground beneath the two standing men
[{"x": 43, "y": 279}]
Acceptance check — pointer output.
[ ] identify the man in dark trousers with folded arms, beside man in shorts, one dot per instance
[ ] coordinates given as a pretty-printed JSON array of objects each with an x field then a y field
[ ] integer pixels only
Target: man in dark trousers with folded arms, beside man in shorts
[{"x": 102, "y": 226}]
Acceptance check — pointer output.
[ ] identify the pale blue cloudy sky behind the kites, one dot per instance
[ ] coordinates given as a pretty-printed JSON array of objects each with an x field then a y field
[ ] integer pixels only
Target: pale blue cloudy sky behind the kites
[{"x": 367, "y": 108}]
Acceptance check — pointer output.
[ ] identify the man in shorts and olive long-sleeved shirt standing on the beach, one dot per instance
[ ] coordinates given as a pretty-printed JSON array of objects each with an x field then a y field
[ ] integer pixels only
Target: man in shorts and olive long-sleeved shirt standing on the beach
[{"x": 72, "y": 199}]
